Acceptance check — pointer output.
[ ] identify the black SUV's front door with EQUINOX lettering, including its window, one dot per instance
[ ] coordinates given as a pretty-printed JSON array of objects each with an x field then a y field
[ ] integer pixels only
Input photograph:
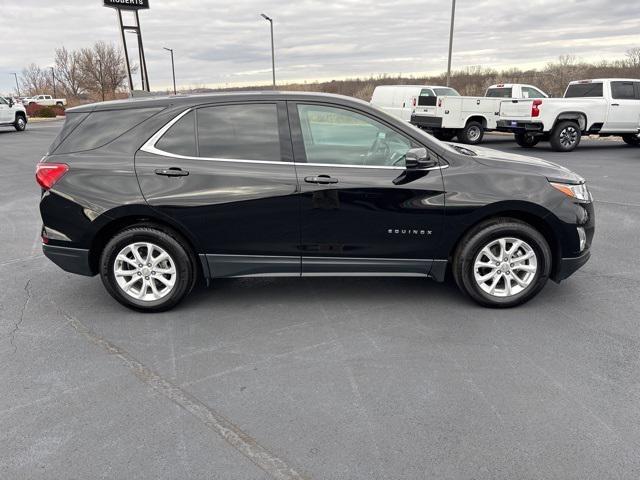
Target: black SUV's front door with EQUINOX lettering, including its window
[{"x": 360, "y": 212}]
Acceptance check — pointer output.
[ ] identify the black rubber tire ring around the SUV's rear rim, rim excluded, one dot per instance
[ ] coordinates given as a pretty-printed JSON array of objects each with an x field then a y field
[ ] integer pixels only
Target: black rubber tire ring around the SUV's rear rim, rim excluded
[{"x": 184, "y": 268}]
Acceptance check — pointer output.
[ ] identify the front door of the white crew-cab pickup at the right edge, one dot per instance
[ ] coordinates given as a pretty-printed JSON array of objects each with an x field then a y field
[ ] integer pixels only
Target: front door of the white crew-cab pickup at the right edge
[{"x": 624, "y": 108}]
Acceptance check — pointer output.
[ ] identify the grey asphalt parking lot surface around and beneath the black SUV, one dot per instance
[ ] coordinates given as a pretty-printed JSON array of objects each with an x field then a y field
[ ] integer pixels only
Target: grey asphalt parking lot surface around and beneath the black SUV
[{"x": 319, "y": 378}]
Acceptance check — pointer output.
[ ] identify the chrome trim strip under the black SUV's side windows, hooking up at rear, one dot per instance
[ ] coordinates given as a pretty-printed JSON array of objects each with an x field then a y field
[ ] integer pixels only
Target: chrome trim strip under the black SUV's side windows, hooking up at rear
[{"x": 150, "y": 147}]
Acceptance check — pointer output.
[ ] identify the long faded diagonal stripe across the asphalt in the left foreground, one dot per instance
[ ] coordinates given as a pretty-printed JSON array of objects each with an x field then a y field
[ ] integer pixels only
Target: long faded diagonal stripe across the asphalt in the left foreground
[{"x": 233, "y": 435}]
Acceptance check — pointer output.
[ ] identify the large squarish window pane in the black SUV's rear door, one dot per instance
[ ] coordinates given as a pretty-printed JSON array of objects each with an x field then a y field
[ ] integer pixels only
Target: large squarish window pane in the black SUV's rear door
[{"x": 244, "y": 132}]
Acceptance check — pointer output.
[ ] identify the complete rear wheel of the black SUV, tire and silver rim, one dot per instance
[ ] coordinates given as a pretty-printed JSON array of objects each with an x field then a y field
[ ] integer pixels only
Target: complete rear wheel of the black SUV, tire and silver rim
[{"x": 149, "y": 289}]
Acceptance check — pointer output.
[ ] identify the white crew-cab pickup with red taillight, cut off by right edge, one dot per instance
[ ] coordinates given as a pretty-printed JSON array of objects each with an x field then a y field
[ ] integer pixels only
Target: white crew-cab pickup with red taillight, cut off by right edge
[{"x": 604, "y": 107}]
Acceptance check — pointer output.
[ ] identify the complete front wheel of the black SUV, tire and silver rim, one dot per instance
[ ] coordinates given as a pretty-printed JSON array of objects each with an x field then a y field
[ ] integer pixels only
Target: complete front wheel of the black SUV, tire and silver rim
[{"x": 532, "y": 272}]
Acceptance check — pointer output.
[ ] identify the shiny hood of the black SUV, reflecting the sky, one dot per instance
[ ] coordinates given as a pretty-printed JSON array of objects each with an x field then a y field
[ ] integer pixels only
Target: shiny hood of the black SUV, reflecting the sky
[{"x": 520, "y": 163}]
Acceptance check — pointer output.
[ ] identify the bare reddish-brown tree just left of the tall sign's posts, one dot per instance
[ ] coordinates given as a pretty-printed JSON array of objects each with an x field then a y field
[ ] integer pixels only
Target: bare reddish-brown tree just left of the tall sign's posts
[{"x": 103, "y": 70}]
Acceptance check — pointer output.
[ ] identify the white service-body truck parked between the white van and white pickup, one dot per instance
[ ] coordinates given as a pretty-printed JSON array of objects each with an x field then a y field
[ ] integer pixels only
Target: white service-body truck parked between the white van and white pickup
[{"x": 469, "y": 117}]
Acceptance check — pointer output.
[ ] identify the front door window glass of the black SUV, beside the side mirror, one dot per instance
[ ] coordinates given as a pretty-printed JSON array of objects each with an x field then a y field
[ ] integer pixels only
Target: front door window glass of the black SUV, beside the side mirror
[{"x": 337, "y": 136}]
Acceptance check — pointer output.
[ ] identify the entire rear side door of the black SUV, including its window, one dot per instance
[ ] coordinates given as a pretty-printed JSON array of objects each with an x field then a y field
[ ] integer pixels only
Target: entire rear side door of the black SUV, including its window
[{"x": 225, "y": 173}]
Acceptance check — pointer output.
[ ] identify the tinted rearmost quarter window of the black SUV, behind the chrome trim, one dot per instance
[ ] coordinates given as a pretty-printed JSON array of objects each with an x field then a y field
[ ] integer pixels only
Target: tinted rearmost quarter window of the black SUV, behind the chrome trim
[{"x": 102, "y": 127}]
